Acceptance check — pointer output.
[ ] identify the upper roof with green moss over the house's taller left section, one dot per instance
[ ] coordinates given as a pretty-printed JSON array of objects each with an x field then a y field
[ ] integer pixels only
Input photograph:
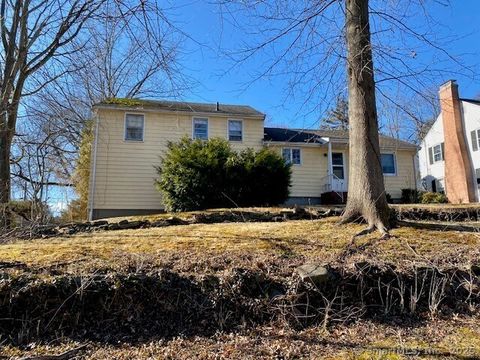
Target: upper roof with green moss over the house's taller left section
[{"x": 180, "y": 106}]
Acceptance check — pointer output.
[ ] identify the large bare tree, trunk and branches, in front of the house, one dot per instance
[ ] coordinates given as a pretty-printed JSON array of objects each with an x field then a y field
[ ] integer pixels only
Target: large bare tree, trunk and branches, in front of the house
[{"x": 310, "y": 43}]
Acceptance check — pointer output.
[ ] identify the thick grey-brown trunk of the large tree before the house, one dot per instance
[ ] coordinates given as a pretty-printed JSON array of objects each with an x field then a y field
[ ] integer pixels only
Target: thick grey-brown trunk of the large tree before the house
[{"x": 366, "y": 189}]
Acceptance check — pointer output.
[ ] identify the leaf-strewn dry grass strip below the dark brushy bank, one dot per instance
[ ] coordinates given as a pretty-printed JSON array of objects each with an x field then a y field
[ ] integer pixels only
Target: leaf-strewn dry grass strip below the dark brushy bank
[{"x": 363, "y": 340}]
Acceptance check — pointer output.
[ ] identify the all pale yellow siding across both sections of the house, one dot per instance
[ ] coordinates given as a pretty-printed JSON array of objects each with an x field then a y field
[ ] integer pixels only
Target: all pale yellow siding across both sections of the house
[{"x": 125, "y": 170}]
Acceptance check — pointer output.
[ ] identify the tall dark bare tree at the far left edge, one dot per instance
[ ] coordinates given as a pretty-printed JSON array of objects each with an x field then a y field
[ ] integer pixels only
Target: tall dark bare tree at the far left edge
[{"x": 33, "y": 33}]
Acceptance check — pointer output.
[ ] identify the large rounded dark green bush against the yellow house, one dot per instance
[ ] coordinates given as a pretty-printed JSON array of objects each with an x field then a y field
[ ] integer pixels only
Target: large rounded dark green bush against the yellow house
[{"x": 197, "y": 174}]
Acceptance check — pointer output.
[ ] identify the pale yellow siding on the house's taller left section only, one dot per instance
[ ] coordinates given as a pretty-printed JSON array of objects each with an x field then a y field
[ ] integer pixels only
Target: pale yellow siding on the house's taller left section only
[{"x": 125, "y": 170}]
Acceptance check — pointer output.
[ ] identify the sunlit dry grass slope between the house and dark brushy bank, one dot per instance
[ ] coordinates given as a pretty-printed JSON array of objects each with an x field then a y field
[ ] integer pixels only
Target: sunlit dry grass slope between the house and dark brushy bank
[{"x": 321, "y": 240}]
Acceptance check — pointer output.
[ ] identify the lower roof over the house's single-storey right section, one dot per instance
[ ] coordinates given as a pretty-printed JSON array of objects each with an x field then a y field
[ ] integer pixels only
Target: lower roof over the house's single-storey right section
[{"x": 315, "y": 136}]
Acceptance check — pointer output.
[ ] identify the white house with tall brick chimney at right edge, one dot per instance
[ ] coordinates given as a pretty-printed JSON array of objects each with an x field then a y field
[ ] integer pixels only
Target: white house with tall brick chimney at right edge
[{"x": 449, "y": 156}]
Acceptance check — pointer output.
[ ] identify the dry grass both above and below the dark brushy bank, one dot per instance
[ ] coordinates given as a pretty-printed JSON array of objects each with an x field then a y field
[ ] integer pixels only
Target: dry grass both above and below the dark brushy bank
[{"x": 206, "y": 247}]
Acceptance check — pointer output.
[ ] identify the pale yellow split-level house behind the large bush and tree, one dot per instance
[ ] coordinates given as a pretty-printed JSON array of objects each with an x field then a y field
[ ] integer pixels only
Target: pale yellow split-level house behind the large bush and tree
[{"x": 131, "y": 135}]
